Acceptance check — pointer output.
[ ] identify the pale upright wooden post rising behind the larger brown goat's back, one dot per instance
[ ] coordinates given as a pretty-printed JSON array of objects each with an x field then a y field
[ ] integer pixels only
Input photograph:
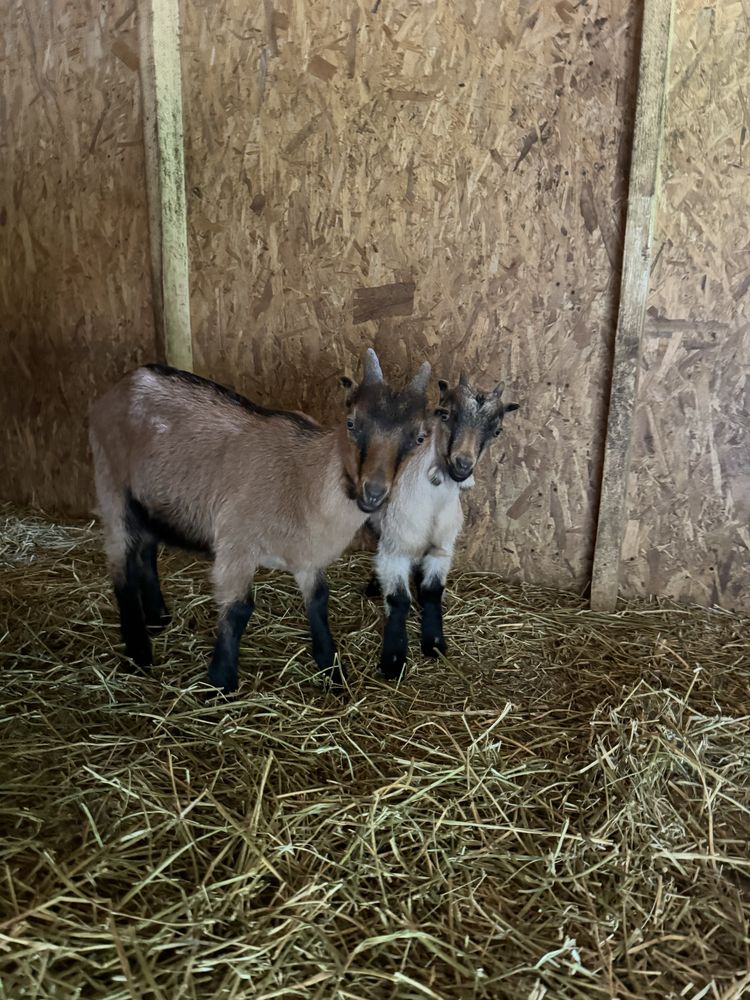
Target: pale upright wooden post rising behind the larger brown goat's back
[{"x": 161, "y": 89}]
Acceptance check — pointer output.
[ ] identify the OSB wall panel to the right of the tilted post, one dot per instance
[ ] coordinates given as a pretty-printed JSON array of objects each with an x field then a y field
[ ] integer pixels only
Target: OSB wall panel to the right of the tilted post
[{"x": 688, "y": 530}]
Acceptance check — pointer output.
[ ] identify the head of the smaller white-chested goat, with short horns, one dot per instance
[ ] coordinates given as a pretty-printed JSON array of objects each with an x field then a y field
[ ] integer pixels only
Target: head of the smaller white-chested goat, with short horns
[{"x": 471, "y": 419}]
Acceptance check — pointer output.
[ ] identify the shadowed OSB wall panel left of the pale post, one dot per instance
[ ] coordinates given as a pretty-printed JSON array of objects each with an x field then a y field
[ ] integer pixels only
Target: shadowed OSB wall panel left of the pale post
[{"x": 75, "y": 298}]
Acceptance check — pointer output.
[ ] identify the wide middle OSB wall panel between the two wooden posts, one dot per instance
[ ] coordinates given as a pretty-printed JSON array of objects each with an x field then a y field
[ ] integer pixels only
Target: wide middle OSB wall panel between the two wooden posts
[{"x": 473, "y": 157}]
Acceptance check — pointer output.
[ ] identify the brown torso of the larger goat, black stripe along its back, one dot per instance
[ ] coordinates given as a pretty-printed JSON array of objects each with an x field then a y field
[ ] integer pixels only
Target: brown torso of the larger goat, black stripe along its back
[{"x": 208, "y": 462}]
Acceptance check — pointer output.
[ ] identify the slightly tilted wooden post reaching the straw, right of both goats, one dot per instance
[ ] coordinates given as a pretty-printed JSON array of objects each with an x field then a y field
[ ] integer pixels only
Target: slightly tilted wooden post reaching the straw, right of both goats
[{"x": 636, "y": 270}]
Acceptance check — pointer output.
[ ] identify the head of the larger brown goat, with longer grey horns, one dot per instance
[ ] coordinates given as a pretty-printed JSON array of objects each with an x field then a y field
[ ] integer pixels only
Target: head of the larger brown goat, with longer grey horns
[{"x": 384, "y": 426}]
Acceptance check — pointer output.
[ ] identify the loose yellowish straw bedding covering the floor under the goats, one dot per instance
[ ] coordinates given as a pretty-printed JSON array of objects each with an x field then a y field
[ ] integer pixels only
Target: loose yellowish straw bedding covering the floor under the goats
[{"x": 560, "y": 809}]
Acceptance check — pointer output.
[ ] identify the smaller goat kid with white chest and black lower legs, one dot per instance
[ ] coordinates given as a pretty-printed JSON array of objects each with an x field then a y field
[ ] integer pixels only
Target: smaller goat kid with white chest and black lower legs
[{"x": 418, "y": 528}]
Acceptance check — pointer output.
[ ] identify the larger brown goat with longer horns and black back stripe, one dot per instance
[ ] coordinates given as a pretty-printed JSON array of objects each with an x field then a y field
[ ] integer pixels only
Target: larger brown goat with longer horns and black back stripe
[{"x": 181, "y": 460}]
